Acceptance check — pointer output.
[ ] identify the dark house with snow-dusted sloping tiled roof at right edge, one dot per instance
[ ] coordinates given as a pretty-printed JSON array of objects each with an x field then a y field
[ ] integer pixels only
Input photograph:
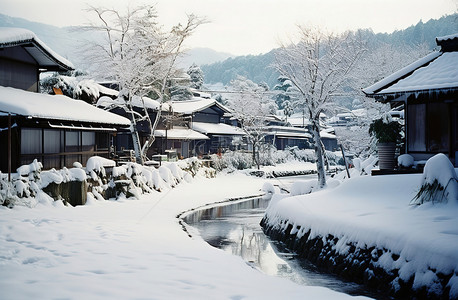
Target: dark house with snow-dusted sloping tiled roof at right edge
[{"x": 428, "y": 89}]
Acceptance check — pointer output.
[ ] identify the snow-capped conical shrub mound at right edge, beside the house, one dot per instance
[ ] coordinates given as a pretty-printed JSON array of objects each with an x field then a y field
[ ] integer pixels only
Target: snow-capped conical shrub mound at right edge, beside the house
[{"x": 439, "y": 182}]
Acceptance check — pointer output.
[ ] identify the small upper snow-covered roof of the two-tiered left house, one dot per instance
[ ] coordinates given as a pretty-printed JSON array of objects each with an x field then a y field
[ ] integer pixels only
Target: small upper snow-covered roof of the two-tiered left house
[{"x": 45, "y": 57}]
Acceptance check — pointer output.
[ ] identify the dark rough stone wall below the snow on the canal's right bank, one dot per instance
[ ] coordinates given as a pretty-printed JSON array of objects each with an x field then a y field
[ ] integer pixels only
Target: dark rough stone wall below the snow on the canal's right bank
[{"x": 358, "y": 264}]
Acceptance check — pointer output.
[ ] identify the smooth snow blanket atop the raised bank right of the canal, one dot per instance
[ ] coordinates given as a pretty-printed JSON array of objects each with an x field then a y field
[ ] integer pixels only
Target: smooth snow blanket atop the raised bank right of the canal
[{"x": 375, "y": 211}]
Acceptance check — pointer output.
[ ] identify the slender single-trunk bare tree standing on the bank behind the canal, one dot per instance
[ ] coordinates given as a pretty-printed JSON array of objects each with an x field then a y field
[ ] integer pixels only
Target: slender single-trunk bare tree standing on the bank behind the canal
[{"x": 317, "y": 66}]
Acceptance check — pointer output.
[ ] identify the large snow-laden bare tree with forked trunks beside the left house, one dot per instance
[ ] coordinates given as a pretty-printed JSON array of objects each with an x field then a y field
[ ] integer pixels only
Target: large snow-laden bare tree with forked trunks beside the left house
[{"x": 140, "y": 55}]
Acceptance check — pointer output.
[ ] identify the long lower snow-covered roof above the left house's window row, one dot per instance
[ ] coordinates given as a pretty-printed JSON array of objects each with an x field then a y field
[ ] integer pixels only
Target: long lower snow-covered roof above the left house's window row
[{"x": 54, "y": 107}]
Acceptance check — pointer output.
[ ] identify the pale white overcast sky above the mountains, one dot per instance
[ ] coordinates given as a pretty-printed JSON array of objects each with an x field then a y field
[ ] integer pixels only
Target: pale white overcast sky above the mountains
[{"x": 242, "y": 27}]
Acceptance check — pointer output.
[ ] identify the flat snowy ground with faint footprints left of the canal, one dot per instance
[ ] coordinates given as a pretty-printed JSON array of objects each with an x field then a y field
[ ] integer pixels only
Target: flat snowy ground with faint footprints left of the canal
[{"x": 132, "y": 249}]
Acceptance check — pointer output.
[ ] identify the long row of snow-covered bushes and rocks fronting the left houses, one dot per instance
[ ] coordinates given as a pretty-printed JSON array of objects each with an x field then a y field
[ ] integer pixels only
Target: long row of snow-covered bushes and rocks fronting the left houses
[{"x": 30, "y": 185}]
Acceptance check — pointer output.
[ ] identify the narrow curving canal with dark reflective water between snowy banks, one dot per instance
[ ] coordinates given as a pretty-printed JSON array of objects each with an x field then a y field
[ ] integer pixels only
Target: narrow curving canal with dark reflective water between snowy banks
[{"x": 235, "y": 228}]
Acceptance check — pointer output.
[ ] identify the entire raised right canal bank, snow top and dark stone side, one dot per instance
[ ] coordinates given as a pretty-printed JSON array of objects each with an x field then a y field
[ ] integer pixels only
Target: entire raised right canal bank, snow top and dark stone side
[{"x": 364, "y": 229}]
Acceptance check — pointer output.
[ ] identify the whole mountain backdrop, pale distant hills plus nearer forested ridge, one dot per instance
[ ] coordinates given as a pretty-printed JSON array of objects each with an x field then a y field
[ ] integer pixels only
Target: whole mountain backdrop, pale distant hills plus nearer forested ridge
[{"x": 67, "y": 40}]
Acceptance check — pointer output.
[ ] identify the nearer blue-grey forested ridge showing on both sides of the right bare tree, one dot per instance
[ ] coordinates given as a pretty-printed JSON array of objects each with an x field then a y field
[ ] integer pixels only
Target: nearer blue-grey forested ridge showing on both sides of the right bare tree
[{"x": 257, "y": 68}]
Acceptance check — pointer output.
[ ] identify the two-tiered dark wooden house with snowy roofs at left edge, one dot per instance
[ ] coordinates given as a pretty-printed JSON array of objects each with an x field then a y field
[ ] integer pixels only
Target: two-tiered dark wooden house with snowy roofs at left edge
[{"x": 54, "y": 129}]
